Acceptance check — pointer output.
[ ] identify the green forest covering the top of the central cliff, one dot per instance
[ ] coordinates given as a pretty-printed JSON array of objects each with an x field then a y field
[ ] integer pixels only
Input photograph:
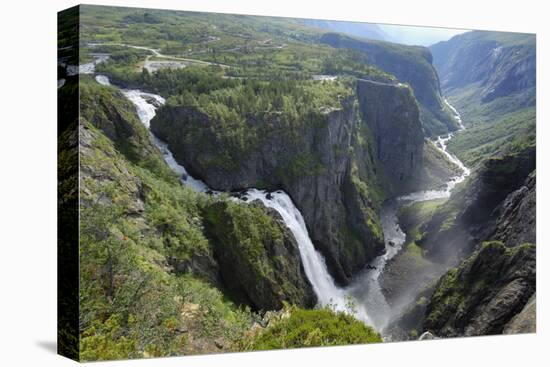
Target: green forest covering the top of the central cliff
[{"x": 230, "y": 116}]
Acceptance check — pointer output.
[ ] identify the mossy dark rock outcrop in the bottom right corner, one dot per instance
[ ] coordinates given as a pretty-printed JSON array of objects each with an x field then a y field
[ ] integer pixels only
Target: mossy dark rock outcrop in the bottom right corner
[{"x": 484, "y": 293}]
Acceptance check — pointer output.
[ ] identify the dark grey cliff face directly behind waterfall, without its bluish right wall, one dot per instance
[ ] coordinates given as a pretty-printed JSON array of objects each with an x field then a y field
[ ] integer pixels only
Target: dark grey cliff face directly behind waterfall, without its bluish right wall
[{"x": 312, "y": 164}]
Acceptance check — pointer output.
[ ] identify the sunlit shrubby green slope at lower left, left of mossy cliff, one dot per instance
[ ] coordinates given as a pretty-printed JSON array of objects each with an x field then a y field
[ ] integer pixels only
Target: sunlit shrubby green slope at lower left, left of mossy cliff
[{"x": 131, "y": 302}]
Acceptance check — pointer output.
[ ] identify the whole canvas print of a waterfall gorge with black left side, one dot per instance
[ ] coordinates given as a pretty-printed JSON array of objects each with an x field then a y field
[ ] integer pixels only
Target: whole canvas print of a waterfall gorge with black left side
[{"x": 235, "y": 183}]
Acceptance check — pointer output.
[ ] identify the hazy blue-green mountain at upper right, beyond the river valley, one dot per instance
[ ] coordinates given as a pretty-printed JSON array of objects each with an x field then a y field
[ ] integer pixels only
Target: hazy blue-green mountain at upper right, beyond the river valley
[{"x": 490, "y": 77}]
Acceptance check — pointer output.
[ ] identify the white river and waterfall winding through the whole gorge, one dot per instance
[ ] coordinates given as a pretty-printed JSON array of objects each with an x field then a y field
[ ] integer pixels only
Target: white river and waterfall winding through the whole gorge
[{"x": 363, "y": 298}]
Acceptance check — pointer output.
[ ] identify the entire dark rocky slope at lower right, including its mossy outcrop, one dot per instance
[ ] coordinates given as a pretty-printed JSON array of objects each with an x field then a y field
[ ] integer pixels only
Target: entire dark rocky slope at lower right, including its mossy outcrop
[{"x": 488, "y": 292}]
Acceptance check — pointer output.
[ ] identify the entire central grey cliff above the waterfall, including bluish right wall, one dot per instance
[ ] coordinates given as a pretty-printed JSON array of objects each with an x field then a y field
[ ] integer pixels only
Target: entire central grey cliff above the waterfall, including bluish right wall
[{"x": 329, "y": 167}]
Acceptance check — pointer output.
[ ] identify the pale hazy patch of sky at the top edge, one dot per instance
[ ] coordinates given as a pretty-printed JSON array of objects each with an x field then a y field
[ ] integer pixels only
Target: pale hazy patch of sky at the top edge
[{"x": 424, "y": 36}]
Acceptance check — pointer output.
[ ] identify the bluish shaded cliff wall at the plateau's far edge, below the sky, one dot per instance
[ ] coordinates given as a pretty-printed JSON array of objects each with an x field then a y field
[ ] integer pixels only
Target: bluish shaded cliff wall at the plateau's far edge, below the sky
[{"x": 410, "y": 64}]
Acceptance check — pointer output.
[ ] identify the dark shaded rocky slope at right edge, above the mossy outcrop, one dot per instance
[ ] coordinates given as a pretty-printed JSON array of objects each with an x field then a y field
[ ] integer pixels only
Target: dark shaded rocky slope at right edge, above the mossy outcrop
[{"x": 498, "y": 203}]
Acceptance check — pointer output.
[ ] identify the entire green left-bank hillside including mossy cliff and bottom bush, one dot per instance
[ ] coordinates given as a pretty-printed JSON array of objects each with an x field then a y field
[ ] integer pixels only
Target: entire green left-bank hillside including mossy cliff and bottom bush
[{"x": 152, "y": 252}]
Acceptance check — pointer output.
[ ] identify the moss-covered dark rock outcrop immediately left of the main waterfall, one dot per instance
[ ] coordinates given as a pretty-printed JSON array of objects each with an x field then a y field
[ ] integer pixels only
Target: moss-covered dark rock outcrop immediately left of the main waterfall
[{"x": 259, "y": 260}]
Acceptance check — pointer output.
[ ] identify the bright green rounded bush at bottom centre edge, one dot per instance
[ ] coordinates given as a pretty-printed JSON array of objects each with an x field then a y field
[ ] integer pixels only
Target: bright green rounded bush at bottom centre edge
[{"x": 312, "y": 328}]
